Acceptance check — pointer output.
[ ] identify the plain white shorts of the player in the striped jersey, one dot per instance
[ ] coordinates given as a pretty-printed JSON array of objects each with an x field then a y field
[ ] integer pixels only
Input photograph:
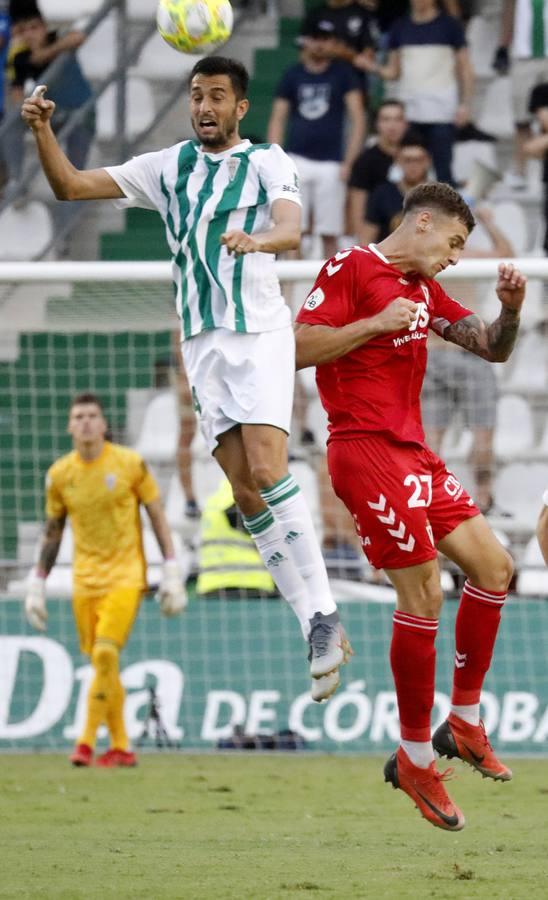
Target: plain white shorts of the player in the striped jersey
[{"x": 241, "y": 379}]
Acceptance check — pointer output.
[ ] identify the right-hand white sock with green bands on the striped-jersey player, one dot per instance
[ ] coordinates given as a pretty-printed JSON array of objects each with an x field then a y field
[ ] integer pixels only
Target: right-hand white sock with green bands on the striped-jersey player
[{"x": 289, "y": 507}]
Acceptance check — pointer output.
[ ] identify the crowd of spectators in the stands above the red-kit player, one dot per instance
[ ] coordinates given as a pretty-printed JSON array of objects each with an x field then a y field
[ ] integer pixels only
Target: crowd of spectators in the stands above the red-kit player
[{"x": 410, "y": 64}]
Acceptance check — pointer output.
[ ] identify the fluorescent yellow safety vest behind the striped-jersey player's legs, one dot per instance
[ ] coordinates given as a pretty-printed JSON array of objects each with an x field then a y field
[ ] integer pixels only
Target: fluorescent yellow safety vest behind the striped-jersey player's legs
[{"x": 227, "y": 557}]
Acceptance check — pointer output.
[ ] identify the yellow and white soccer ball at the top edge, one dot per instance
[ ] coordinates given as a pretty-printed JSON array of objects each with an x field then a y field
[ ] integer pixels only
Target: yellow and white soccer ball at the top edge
[{"x": 194, "y": 26}]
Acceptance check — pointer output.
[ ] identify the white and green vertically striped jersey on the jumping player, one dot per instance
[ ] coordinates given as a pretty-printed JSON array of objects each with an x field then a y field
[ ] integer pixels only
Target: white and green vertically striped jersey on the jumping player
[{"x": 200, "y": 196}]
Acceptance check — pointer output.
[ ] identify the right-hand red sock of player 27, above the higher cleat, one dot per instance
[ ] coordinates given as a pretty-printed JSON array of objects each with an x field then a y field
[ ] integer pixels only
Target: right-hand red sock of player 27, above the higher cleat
[{"x": 475, "y": 634}]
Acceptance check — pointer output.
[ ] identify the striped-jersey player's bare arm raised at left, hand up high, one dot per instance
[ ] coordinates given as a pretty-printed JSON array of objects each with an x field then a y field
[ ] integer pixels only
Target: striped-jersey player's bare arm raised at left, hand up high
[{"x": 67, "y": 182}]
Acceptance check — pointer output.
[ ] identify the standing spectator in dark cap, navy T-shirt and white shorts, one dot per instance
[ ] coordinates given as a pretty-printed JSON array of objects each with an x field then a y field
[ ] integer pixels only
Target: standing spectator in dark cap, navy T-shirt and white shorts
[{"x": 309, "y": 109}]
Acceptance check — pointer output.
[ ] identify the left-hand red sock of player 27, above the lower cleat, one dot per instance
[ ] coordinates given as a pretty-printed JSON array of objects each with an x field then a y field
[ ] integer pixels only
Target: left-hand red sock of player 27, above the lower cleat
[{"x": 413, "y": 661}]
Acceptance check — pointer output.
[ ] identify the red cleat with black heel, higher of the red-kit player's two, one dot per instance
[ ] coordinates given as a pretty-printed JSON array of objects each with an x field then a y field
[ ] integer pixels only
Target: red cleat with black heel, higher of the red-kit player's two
[{"x": 455, "y": 737}]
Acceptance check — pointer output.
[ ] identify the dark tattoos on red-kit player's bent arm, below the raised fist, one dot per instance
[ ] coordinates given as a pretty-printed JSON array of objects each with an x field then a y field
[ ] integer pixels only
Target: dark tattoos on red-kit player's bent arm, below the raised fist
[{"x": 493, "y": 342}]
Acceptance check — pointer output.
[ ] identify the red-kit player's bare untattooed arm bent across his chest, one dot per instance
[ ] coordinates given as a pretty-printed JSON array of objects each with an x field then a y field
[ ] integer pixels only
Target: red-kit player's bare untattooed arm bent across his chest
[{"x": 320, "y": 344}]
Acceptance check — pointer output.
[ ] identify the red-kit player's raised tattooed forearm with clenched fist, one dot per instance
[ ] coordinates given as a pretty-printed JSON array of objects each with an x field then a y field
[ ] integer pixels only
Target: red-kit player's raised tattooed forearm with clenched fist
[{"x": 494, "y": 342}]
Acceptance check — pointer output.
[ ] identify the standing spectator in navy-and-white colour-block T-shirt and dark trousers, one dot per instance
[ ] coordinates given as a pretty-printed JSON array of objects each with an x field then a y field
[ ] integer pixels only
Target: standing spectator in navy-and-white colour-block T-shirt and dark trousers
[{"x": 429, "y": 58}]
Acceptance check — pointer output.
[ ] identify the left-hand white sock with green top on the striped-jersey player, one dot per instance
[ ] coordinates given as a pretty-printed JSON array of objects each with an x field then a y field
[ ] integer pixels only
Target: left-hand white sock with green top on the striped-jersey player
[{"x": 269, "y": 540}]
